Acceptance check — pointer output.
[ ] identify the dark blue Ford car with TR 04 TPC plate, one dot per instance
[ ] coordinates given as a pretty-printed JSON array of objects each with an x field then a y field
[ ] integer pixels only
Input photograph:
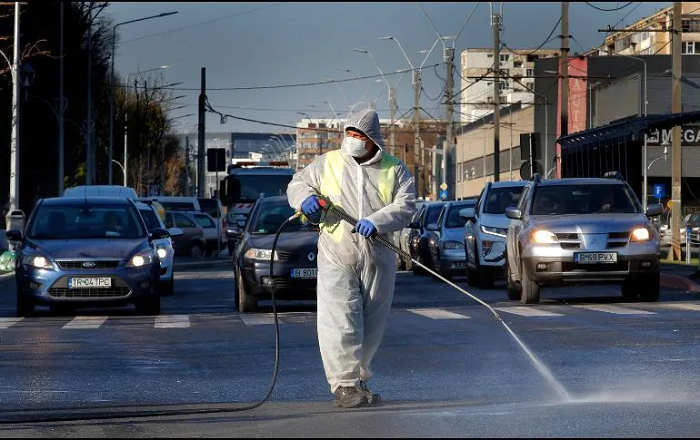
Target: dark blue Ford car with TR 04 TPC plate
[{"x": 86, "y": 252}]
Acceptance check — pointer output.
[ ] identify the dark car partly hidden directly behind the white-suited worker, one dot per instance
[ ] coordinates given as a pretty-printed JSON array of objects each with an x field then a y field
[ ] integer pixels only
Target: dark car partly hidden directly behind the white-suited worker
[{"x": 295, "y": 268}]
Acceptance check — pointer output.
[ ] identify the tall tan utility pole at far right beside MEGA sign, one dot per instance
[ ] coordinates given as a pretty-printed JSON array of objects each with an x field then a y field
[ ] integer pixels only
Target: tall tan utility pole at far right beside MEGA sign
[{"x": 676, "y": 150}]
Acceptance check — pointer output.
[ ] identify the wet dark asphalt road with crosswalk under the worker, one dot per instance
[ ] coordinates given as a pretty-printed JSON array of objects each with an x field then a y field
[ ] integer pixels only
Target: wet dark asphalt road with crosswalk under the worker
[{"x": 447, "y": 367}]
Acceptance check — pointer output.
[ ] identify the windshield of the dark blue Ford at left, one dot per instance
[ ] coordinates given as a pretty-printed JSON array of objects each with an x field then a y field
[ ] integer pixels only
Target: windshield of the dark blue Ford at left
[{"x": 86, "y": 221}]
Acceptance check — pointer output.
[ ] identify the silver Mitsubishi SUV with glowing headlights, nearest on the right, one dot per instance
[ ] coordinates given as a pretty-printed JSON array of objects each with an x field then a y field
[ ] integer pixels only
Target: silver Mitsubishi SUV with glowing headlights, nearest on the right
[{"x": 584, "y": 230}]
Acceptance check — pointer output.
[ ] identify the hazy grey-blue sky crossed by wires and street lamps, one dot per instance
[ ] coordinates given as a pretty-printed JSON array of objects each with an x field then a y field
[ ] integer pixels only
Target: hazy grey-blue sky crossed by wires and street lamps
[{"x": 270, "y": 44}]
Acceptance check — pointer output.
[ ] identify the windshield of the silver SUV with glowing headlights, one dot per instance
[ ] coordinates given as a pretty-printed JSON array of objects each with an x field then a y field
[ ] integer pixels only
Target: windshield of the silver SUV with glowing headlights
[{"x": 583, "y": 199}]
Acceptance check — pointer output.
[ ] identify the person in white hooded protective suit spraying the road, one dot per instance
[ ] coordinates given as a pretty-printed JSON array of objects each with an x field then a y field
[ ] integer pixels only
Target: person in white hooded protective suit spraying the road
[{"x": 356, "y": 275}]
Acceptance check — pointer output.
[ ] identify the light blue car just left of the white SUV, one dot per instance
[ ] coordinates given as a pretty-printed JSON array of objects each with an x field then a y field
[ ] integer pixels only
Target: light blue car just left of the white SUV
[{"x": 445, "y": 243}]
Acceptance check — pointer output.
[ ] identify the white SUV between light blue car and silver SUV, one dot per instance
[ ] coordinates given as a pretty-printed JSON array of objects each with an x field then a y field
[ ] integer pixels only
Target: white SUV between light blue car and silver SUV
[{"x": 484, "y": 239}]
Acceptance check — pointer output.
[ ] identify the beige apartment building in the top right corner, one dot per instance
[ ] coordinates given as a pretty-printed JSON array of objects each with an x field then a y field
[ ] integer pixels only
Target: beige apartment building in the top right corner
[{"x": 650, "y": 38}]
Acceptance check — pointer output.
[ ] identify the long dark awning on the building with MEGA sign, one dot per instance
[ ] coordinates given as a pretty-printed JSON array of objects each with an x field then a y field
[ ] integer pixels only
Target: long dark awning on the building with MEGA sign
[{"x": 624, "y": 131}]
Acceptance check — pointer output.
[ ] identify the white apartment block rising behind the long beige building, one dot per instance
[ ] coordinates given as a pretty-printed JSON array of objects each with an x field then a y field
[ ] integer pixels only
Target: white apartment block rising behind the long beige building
[{"x": 517, "y": 70}]
